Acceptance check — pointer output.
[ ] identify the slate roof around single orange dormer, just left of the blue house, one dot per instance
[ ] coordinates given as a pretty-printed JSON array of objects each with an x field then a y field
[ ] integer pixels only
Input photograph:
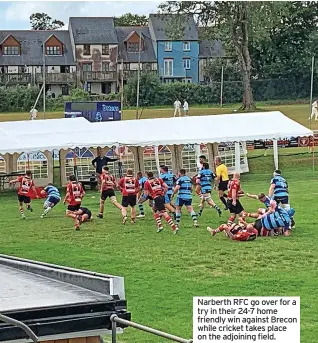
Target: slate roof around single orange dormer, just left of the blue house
[{"x": 148, "y": 55}]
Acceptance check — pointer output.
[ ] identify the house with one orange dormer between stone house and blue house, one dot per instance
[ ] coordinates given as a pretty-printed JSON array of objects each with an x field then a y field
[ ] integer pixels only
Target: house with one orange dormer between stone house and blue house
[{"x": 130, "y": 39}]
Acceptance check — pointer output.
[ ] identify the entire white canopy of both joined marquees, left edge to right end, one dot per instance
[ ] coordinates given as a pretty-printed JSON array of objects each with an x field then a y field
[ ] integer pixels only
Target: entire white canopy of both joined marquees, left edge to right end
[{"x": 22, "y": 136}]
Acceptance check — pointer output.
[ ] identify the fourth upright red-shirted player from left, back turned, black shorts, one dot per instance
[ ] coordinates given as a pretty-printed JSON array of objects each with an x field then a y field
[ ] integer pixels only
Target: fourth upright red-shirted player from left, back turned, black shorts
[{"x": 129, "y": 187}]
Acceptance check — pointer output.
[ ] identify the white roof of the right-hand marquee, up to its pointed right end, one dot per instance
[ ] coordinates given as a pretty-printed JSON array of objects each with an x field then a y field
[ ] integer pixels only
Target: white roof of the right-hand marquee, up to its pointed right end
[{"x": 204, "y": 129}]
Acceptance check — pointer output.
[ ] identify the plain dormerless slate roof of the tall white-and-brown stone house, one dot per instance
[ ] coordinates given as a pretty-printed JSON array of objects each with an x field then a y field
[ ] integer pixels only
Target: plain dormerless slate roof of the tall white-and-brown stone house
[{"x": 93, "y": 30}]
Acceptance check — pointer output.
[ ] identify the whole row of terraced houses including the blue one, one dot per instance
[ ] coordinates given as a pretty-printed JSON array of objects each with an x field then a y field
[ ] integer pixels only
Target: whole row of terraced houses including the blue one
[{"x": 94, "y": 54}]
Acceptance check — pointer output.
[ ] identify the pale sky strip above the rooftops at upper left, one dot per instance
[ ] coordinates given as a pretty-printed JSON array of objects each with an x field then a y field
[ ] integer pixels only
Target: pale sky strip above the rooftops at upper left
[{"x": 15, "y": 15}]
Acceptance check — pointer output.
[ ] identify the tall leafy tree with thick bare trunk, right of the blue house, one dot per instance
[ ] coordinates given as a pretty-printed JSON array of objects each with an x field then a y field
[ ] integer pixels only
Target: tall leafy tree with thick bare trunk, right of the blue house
[{"x": 235, "y": 24}]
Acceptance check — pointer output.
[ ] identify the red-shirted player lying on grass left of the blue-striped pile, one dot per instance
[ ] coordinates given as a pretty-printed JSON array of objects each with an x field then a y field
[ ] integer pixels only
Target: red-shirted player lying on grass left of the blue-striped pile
[{"x": 237, "y": 232}]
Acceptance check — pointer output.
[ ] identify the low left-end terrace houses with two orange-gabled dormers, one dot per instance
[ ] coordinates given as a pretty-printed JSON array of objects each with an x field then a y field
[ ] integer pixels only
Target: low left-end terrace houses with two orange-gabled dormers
[{"x": 22, "y": 59}]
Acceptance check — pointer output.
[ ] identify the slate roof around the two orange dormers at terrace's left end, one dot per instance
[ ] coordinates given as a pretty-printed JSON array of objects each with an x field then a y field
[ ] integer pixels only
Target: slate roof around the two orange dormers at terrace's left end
[{"x": 31, "y": 48}]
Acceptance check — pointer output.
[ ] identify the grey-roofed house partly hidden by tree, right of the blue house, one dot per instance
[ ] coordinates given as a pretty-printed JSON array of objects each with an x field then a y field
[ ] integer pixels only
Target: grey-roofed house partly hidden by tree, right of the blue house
[{"x": 209, "y": 49}]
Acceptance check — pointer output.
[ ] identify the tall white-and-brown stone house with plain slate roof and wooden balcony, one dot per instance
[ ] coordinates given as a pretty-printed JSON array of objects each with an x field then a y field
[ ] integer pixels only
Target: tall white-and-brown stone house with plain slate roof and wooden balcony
[{"x": 95, "y": 47}]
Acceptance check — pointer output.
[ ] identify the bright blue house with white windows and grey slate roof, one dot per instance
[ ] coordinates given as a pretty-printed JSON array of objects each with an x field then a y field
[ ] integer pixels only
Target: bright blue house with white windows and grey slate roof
[{"x": 178, "y": 60}]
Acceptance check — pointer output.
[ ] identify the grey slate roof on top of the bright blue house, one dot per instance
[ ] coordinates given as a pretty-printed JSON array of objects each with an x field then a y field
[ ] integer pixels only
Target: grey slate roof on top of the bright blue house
[{"x": 160, "y": 24}]
